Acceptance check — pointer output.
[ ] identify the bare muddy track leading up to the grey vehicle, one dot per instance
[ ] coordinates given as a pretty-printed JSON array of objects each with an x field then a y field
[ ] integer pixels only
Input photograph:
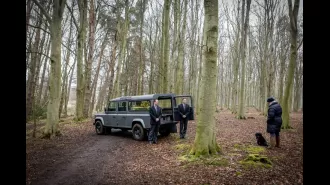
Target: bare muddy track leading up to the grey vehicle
[{"x": 88, "y": 163}]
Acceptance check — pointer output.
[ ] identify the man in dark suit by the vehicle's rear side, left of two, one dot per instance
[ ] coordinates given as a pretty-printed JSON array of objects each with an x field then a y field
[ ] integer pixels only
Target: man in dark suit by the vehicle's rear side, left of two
[{"x": 155, "y": 115}]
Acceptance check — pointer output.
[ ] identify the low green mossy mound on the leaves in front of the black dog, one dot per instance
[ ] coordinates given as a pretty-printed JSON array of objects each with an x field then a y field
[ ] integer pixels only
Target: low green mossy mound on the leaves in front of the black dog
[{"x": 256, "y": 160}]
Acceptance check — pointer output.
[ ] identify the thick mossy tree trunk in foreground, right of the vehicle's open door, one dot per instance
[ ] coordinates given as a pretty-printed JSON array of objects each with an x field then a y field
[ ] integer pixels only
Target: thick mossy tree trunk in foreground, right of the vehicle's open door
[{"x": 205, "y": 142}]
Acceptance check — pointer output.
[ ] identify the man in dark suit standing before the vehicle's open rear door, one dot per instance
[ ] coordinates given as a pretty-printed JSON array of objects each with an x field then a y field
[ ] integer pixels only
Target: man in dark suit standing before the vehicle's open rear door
[{"x": 184, "y": 110}]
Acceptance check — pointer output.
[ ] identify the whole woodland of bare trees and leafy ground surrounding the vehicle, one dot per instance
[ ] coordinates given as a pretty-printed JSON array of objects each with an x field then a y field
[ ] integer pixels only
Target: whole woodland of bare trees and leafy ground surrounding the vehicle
[{"x": 230, "y": 56}]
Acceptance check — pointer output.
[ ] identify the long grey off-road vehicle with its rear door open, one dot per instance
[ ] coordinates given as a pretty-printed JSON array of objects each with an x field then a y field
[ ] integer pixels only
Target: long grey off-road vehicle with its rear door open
[{"x": 132, "y": 113}]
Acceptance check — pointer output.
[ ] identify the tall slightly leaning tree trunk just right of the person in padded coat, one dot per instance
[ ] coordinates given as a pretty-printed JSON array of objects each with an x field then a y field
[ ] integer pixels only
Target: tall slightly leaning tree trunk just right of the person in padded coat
[{"x": 293, "y": 14}]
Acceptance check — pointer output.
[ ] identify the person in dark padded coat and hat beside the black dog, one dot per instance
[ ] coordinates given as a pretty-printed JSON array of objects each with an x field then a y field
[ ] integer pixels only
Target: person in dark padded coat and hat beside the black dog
[{"x": 274, "y": 121}]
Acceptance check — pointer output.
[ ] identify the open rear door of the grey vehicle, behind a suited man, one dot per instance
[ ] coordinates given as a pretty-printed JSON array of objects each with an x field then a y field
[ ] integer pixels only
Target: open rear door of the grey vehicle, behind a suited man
[{"x": 177, "y": 101}]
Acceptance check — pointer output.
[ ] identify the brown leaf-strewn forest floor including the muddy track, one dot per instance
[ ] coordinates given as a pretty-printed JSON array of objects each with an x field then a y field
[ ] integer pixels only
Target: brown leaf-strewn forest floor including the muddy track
[{"x": 80, "y": 156}]
